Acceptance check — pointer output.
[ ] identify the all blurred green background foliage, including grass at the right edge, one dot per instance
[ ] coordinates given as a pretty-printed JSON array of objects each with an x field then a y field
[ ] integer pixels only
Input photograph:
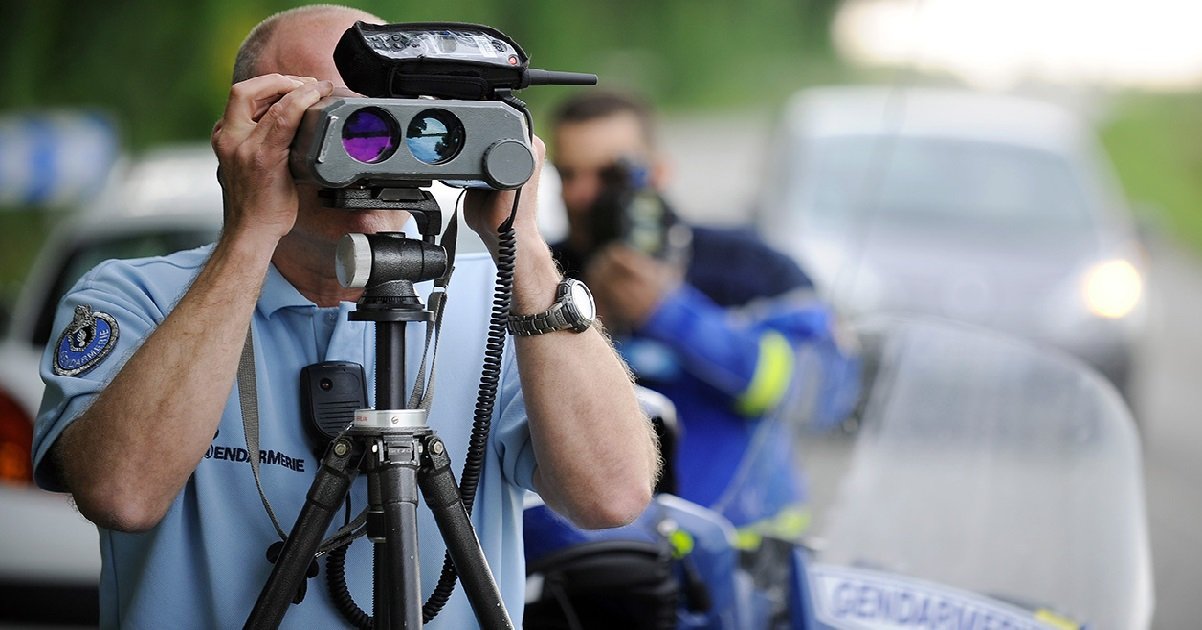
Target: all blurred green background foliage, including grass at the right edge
[{"x": 163, "y": 70}]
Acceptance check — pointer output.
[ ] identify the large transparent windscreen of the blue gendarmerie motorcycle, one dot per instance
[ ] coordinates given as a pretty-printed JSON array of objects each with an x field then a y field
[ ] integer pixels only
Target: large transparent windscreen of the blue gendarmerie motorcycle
[{"x": 998, "y": 468}]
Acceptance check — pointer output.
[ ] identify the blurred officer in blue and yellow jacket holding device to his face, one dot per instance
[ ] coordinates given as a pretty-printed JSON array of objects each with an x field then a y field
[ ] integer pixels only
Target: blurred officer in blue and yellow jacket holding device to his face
[{"x": 713, "y": 319}]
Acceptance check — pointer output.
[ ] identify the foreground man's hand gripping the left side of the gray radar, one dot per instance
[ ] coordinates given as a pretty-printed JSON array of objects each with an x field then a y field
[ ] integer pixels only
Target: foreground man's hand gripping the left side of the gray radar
[{"x": 252, "y": 144}]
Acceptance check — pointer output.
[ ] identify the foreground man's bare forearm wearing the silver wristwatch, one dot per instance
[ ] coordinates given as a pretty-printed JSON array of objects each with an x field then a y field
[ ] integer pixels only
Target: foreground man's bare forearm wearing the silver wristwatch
[{"x": 596, "y": 450}]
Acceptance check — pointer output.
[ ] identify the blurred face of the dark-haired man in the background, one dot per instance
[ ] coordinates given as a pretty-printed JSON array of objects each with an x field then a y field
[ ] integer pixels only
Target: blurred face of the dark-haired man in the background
[{"x": 582, "y": 152}]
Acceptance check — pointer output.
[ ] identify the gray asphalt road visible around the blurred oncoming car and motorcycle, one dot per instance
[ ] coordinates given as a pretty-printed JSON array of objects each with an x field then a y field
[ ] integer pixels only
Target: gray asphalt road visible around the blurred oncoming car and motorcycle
[{"x": 717, "y": 165}]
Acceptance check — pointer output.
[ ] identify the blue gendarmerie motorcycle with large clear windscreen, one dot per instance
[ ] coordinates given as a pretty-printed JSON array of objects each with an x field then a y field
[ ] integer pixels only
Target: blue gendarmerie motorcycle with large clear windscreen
[{"x": 990, "y": 484}]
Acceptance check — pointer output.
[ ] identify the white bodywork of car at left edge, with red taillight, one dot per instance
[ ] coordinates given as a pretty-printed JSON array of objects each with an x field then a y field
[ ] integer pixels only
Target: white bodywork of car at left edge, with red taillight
[{"x": 50, "y": 555}]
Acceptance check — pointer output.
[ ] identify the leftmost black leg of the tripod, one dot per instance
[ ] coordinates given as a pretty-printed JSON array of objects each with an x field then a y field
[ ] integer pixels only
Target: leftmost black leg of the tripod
[{"x": 338, "y": 471}]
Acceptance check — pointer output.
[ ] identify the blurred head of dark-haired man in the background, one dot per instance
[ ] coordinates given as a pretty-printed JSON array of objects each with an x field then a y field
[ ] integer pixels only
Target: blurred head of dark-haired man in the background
[{"x": 591, "y": 133}]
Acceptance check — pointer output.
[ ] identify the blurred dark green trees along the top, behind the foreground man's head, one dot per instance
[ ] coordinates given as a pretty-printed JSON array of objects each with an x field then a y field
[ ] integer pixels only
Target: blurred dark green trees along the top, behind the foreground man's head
[{"x": 163, "y": 68}]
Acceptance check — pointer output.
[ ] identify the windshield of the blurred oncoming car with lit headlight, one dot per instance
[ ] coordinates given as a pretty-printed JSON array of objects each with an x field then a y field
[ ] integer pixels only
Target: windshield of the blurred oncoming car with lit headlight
[{"x": 925, "y": 182}]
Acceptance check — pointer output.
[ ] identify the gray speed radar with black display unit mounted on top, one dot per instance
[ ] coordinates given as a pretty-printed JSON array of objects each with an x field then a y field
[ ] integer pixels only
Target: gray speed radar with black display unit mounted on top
[{"x": 438, "y": 105}]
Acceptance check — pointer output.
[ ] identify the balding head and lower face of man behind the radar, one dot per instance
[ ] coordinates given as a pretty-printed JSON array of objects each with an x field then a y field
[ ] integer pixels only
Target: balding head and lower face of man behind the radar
[{"x": 305, "y": 47}]
